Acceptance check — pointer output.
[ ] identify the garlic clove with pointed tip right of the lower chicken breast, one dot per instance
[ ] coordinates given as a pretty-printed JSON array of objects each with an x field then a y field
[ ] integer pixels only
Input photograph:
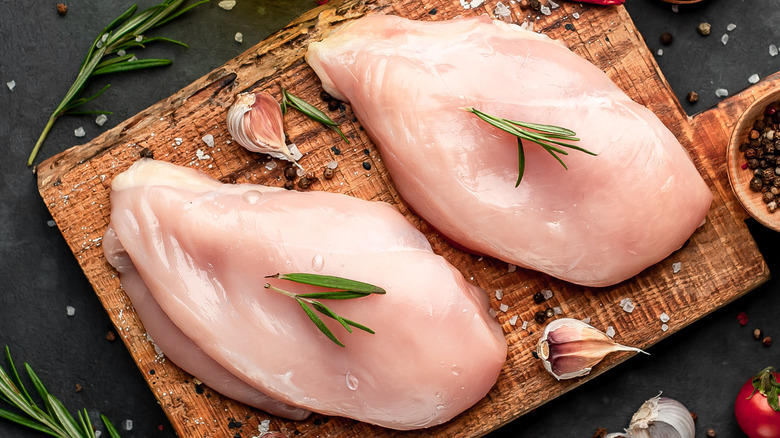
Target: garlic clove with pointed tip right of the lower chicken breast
[{"x": 570, "y": 348}]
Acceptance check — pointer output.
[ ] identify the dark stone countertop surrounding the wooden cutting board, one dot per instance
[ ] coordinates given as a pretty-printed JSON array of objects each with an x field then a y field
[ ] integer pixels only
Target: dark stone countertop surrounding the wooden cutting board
[{"x": 703, "y": 366}]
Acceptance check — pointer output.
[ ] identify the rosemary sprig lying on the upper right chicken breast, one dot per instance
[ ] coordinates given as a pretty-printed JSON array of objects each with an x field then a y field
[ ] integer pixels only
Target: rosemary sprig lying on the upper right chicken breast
[{"x": 546, "y": 136}]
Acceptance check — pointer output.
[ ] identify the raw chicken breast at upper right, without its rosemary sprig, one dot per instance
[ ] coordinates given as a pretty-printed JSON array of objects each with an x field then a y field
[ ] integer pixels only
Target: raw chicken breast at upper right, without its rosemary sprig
[{"x": 604, "y": 220}]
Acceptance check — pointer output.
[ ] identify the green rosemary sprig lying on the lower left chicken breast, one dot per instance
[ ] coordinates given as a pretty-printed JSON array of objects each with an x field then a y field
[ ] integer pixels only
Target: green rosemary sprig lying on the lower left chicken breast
[{"x": 344, "y": 289}]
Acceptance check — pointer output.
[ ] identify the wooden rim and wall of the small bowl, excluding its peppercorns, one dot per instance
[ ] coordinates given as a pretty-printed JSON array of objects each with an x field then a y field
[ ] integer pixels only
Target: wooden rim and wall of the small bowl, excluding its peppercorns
[{"x": 740, "y": 178}]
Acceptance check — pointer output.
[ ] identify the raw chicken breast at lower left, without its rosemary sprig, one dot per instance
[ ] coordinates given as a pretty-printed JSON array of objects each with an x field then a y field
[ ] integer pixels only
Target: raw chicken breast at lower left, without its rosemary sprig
[{"x": 202, "y": 251}]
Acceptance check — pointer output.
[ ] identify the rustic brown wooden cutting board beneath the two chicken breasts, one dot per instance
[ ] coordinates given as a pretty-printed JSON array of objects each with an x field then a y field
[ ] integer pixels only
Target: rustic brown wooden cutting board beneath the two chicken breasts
[{"x": 720, "y": 263}]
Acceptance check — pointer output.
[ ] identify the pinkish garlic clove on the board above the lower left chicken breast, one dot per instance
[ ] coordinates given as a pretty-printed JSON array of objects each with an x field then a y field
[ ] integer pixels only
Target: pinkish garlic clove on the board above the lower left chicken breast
[{"x": 255, "y": 121}]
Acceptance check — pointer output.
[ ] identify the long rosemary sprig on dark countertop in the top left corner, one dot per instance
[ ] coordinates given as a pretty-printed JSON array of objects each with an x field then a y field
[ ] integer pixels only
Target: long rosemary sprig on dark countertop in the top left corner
[{"x": 124, "y": 33}]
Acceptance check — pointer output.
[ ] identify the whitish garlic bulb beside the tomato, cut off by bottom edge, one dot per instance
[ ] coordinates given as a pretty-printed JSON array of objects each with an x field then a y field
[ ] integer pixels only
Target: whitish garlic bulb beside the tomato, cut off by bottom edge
[{"x": 660, "y": 417}]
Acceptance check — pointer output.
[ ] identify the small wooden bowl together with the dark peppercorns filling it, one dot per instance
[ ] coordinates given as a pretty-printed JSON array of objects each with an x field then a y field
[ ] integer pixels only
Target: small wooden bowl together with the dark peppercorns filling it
[{"x": 753, "y": 157}]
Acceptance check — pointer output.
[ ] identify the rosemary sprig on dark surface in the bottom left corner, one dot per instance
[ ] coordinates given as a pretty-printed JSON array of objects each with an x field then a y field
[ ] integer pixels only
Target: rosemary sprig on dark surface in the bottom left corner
[{"x": 53, "y": 418}]
